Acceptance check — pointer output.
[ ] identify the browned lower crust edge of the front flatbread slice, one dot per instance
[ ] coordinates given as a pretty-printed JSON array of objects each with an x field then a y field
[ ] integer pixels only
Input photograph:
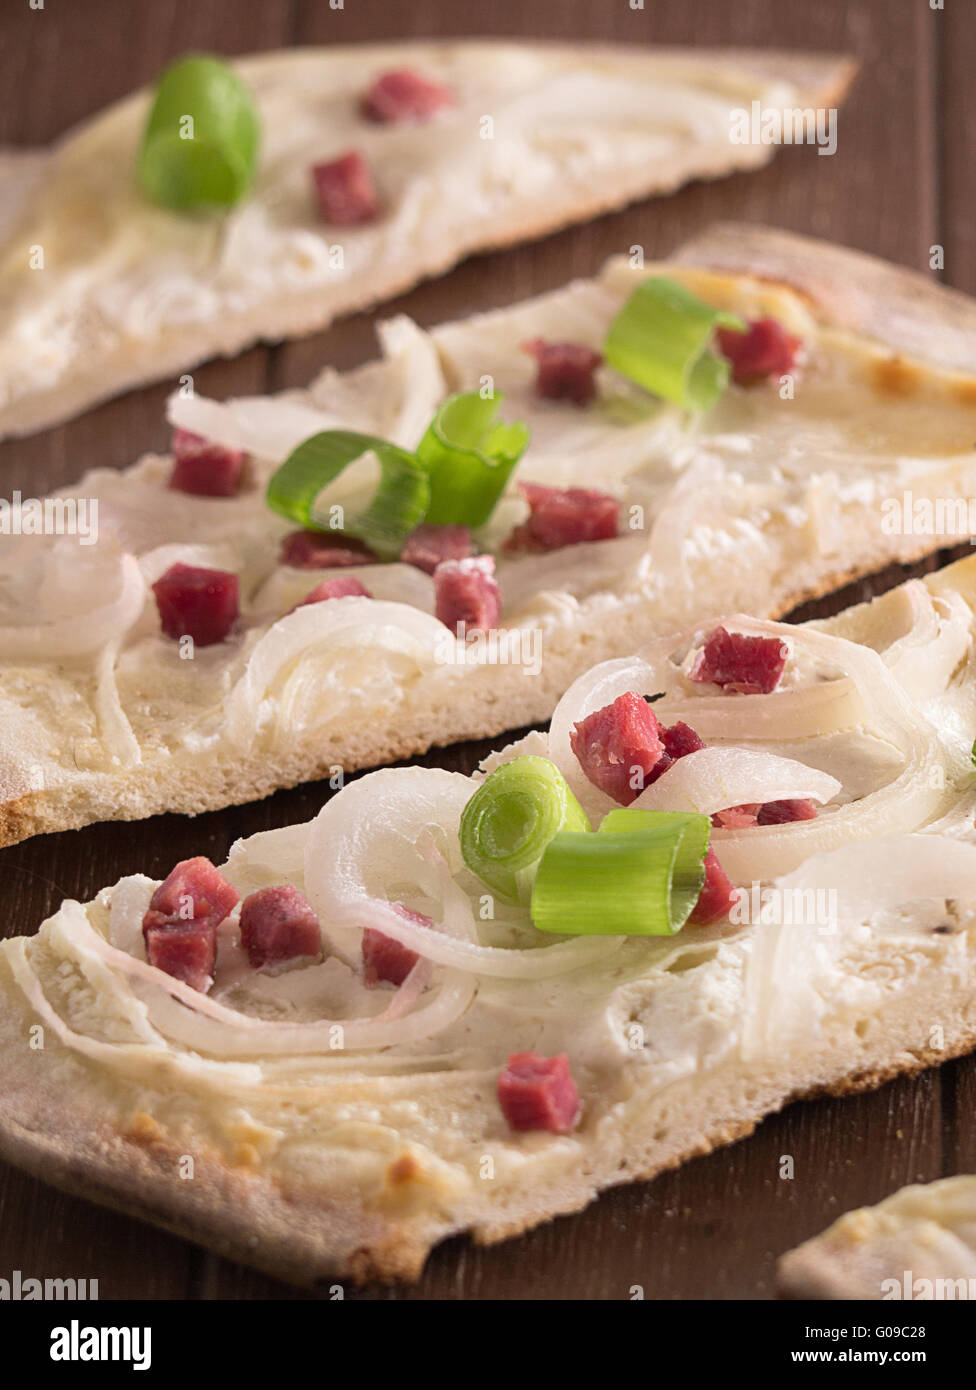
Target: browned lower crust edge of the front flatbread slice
[{"x": 293, "y": 1236}]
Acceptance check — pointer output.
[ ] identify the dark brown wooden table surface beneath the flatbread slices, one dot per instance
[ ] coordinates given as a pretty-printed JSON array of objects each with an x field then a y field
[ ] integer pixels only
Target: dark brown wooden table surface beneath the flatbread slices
[{"x": 899, "y": 184}]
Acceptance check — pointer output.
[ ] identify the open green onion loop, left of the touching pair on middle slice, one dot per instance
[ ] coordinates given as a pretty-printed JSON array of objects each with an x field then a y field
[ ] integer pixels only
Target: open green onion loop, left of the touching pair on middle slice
[{"x": 397, "y": 508}]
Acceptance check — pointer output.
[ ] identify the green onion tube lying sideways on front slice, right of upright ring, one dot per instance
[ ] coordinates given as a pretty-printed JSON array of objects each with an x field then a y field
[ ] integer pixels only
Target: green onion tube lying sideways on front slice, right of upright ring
[{"x": 639, "y": 876}]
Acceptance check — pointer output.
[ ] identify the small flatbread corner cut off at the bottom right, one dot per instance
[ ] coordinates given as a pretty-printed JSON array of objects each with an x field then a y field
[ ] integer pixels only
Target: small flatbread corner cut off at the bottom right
[{"x": 917, "y": 1245}]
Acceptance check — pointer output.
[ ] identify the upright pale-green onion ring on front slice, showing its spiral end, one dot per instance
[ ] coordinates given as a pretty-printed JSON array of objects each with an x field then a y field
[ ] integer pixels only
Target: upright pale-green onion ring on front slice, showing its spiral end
[{"x": 512, "y": 818}]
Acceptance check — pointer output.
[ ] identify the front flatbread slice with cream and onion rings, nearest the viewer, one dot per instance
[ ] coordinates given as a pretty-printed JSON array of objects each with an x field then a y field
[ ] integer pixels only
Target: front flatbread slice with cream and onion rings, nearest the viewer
[{"x": 322, "y": 1129}]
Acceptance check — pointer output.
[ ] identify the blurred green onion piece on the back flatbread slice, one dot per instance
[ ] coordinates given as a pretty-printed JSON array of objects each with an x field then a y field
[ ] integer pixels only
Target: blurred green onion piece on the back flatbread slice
[{"x": 201, "y": 142}]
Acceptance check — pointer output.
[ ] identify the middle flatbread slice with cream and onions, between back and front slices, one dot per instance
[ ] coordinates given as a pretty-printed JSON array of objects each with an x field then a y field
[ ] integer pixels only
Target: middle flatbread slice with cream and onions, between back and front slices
[{"x": 775, "y": 496}]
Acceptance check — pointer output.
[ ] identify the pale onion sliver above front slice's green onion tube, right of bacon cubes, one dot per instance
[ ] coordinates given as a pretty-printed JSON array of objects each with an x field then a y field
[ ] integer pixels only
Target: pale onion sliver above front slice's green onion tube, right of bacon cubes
[{"x": 715, "y": 779}]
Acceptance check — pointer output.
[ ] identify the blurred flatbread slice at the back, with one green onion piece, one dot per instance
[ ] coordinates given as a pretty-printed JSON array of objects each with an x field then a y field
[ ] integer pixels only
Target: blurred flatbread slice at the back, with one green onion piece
[{"x": 540, "y": 136}]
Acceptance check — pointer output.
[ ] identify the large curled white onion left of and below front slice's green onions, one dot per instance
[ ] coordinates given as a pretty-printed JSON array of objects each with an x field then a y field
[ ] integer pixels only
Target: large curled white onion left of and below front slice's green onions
[{"x": 375, "y": 837}]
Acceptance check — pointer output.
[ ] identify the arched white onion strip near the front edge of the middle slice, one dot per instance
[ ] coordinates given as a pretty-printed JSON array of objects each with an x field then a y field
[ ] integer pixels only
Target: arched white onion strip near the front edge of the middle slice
[{"x": 314, "y": 632}]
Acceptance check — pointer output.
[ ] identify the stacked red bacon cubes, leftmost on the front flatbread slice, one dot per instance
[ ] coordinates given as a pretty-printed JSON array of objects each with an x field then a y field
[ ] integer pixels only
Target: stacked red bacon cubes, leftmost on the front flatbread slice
[{"x": 180, "y": 926}]
